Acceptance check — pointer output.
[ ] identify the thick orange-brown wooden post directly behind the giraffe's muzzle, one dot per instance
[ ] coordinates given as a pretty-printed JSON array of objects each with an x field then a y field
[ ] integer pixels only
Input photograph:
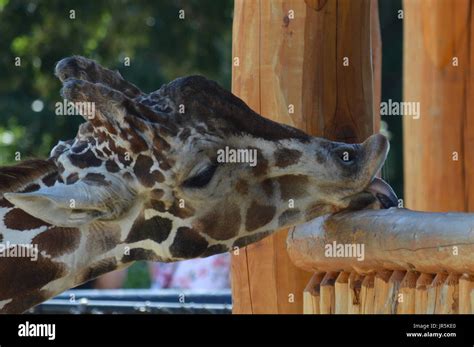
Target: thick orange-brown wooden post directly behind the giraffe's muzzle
[{"x": 308, "y": 64}]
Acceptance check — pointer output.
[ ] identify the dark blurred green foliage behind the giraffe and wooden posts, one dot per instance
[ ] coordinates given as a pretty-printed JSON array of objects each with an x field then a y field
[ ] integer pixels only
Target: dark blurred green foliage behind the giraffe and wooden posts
[{"x": 161, "y": 47}]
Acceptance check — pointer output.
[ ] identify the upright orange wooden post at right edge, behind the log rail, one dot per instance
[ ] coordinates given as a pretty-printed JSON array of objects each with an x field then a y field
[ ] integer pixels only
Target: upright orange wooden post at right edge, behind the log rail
[{"x": 438, "y": 65}]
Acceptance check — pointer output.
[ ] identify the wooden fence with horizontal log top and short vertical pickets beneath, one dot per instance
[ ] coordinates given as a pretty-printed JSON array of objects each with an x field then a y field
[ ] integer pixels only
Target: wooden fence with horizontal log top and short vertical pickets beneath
[{"x": 387, "y": 261}]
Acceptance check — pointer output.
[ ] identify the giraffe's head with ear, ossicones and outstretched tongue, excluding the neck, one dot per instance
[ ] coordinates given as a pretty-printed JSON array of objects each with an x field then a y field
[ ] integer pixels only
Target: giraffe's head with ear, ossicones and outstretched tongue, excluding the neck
[{"x": 191, "y": 169}]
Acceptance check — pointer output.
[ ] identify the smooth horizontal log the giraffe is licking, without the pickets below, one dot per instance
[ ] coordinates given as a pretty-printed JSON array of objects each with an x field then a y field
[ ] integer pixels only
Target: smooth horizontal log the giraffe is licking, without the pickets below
[{"x": 394, "y": 239}]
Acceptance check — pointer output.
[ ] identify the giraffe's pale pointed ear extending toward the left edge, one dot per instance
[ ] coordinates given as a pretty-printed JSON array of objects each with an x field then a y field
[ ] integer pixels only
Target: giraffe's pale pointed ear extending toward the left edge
[{"x": 75, "y": 204}]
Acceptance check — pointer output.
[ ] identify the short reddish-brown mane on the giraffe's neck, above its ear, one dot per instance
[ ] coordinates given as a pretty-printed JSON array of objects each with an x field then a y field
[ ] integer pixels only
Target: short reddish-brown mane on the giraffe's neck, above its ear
[{"x": 16, "y": 177}]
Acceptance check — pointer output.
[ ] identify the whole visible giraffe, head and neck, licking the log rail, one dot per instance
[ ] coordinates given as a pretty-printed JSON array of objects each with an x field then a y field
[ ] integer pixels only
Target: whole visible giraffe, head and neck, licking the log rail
[{"x": 142, "y": 181}]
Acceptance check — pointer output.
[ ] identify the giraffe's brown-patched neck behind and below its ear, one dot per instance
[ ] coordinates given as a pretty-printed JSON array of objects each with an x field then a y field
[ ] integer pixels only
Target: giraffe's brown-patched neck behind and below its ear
[{"x": 39, "y": 260}]
